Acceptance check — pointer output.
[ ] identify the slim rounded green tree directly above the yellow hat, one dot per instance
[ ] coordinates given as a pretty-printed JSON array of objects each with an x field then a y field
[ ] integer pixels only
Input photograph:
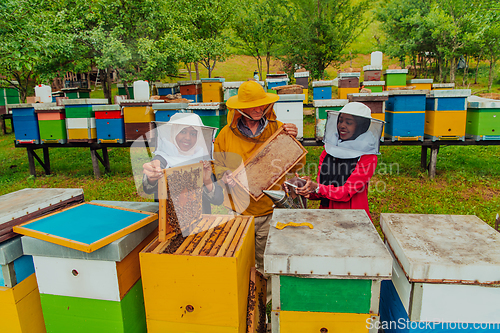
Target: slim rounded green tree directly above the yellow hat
[{"x": 259, "y": 28}]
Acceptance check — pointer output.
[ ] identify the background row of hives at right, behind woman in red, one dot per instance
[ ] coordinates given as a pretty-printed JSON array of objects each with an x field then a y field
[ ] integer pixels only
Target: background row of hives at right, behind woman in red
[{"x": 417, "y": 114}]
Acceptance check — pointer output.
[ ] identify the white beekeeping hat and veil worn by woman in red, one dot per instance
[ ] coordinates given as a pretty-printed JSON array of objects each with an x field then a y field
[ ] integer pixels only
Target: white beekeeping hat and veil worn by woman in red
[{"x": 365, "y": 139}]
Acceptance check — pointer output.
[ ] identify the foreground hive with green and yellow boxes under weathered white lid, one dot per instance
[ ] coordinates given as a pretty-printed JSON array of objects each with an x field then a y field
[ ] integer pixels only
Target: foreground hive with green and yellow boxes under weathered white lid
[{"x": 325, "y": 279}]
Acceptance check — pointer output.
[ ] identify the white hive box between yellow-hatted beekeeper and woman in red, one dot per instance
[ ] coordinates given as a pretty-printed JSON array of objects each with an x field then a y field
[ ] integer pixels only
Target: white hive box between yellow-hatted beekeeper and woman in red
[{"x": 290, "y": 109}]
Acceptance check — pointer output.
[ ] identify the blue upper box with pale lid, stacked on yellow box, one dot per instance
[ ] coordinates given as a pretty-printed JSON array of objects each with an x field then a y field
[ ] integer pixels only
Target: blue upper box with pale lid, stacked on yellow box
[{"x": 447, "y": 100}]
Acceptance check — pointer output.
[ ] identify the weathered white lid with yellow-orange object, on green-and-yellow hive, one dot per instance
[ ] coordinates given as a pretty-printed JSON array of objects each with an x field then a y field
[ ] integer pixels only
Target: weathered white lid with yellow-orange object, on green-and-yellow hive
[{"x": 343, "y": 243}]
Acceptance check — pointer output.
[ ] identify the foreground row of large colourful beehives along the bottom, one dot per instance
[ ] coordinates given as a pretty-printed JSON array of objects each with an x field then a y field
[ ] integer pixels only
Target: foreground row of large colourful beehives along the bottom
[{"x": 437, "y": 273}]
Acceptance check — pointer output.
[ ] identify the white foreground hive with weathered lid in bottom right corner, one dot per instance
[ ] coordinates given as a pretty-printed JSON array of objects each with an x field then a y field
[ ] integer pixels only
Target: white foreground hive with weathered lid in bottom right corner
[{"x": 445, "y": 273}]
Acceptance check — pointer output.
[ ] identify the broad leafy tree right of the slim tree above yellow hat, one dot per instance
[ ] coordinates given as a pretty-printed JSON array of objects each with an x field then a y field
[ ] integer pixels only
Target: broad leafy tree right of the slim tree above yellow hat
[{"x": 320, "y": 32}]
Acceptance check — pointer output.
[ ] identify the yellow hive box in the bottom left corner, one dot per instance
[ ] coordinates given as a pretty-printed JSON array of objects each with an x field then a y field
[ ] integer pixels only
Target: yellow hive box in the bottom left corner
[{"x": 20, "y": 309}]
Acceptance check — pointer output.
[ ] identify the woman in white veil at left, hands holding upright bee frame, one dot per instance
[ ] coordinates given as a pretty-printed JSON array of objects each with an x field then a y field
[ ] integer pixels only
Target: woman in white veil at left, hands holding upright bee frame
[{"x": 181, "y": 141}]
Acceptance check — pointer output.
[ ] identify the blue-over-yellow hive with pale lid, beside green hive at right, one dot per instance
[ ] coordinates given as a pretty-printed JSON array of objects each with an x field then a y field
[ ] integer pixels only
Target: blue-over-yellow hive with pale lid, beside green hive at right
[{"x": 446, "y": 114}]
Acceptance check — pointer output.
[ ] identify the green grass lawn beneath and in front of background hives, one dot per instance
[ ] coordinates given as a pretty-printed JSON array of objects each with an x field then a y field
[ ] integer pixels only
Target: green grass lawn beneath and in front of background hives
[{"x": 467, "y": 181}]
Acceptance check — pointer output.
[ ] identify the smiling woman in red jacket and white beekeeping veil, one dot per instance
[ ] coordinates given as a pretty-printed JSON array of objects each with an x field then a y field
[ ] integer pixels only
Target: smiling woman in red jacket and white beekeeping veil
[{"x": 349, "y": 160}]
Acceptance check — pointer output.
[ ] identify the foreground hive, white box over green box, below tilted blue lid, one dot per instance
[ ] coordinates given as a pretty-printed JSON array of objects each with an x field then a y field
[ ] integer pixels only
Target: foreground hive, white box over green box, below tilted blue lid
[{"x": 94, "y": 291}]
